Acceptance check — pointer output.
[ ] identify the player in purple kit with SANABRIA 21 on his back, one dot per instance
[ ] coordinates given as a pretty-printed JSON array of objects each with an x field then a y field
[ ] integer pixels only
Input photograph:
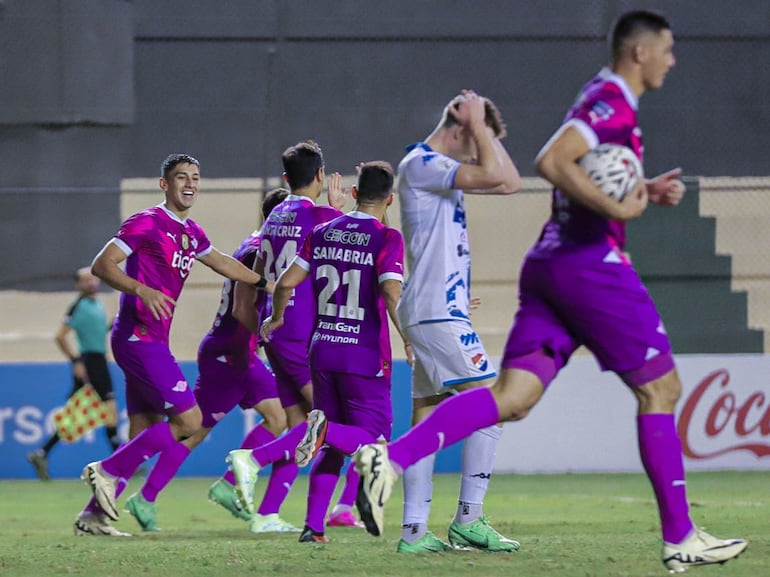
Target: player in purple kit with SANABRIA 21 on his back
[{"x": 355, "y": 266}]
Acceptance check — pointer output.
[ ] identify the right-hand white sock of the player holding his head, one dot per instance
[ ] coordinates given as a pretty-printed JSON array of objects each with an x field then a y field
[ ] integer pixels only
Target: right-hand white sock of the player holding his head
[{"x": 478, "y": 460}]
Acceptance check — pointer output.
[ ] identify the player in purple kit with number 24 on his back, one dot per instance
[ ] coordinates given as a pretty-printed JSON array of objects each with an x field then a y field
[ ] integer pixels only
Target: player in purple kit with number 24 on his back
[{"x": 283, "y": 234}]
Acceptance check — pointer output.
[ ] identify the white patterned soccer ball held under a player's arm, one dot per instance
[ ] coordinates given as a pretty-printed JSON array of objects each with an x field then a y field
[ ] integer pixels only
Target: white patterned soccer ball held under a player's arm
[{"x": 613, "y": 168}]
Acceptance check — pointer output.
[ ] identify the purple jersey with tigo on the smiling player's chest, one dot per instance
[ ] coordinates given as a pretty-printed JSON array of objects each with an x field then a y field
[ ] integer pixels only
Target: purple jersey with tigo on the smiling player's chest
[{"x": 161, "y": 250}]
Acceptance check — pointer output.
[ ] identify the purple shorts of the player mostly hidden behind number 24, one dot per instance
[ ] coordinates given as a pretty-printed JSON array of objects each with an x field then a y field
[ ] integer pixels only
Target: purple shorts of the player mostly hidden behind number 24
[{"x": 220, "y": 387}]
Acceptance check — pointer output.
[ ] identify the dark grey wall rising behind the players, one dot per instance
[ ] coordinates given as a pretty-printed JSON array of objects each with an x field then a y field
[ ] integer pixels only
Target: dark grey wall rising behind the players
[{"x": 93, "y": 91}]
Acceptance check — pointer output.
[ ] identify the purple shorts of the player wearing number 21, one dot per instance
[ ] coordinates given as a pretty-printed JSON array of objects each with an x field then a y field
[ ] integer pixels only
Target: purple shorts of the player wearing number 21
[{"x": 355, "y": 400}]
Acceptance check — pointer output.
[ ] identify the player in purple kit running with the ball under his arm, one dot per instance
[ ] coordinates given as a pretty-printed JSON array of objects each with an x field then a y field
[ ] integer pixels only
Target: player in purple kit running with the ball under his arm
[{"x": 572, "y": 282}]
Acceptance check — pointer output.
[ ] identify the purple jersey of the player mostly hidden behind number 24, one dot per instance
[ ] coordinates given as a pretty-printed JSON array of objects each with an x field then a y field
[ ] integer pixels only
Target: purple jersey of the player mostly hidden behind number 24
[{"x": 227, "y": 336}]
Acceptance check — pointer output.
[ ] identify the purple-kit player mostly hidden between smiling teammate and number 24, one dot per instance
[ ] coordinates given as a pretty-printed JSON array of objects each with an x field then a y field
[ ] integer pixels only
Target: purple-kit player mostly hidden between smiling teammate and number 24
[{"x": 230, "y": 374}]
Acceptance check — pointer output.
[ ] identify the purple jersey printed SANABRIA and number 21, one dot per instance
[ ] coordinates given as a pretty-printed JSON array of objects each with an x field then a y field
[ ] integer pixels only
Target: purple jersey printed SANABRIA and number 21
[{"x": 348, "y": 258}]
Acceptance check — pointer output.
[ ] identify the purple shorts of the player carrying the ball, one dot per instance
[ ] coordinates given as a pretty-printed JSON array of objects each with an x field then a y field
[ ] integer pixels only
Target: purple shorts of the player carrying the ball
[{"x": 577, "y": 299}]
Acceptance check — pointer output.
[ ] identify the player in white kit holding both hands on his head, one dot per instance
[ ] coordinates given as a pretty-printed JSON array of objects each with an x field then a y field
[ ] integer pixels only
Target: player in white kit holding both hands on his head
[{"x": 463, "y": 155}]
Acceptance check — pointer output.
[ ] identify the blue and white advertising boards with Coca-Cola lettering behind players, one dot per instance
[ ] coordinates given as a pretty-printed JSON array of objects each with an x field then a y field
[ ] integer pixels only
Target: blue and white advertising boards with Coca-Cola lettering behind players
[{"x": 585, "y": 423}]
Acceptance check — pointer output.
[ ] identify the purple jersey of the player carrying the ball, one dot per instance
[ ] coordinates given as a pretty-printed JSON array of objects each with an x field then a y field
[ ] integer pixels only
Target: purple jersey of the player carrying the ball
[{"x": 604, "y": 112}]
